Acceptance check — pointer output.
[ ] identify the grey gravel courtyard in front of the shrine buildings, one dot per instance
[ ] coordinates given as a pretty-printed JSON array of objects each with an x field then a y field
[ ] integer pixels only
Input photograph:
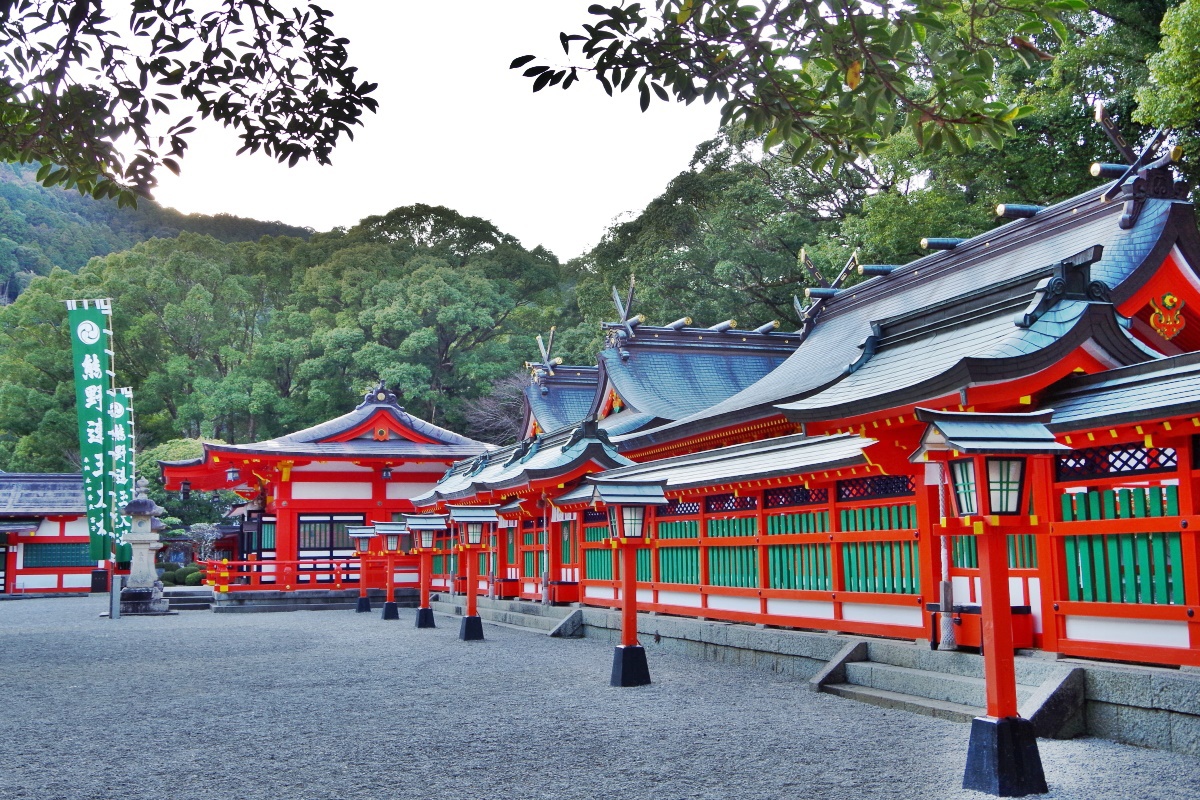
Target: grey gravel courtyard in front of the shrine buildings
[{"x": 335, "y": 706}]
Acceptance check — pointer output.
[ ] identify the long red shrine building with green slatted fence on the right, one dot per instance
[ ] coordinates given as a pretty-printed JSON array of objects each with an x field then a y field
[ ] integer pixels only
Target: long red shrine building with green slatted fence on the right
[{"x": 797, "y": 466}]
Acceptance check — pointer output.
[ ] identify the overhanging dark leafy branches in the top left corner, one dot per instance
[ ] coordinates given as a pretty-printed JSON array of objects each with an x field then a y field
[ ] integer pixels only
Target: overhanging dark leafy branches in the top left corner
[{"x": 74, "y": 82}]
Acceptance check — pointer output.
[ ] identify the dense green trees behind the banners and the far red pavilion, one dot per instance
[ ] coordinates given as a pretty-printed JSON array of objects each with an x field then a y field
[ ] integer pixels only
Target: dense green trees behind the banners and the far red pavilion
[{"x": 247, "y": 341}]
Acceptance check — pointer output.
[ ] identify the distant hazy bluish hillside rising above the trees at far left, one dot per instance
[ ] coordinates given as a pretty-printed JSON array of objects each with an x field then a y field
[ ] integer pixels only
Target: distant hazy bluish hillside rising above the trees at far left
[{"x": 43, "y": 228}]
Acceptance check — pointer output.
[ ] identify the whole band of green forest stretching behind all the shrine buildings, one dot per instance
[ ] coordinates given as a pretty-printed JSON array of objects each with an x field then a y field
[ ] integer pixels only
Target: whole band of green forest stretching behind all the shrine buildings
[{"x": 249, "y": 340}]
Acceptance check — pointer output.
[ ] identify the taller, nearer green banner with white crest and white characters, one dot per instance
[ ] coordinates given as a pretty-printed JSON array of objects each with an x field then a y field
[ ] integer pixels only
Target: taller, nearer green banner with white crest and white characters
[{"x": 93, "y": 357}]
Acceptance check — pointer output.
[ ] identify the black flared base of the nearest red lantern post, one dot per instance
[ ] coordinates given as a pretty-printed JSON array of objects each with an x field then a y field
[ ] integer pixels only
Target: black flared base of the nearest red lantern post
[{"x": 1004, "y": 760}]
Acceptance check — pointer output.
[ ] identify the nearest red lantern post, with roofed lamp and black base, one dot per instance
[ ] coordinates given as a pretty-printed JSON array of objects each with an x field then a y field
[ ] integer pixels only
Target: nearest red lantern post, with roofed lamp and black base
[{"x": 988, "y": 458}]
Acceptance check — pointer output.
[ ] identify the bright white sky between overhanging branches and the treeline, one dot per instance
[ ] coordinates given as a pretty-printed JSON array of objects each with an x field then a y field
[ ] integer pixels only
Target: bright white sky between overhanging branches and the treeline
[{"x": 457, "y": 128}]
